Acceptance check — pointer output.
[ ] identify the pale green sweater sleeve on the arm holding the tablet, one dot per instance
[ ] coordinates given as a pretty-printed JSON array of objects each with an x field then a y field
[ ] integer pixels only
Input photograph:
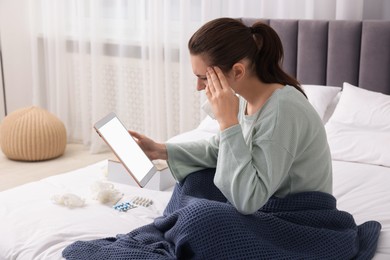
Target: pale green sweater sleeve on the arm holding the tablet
[{"x": 185, "y": 158}]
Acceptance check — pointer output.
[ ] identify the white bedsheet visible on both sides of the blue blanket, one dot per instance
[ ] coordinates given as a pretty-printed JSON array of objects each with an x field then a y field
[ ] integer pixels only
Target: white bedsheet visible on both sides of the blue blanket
[{"x": 32, "y": 227}]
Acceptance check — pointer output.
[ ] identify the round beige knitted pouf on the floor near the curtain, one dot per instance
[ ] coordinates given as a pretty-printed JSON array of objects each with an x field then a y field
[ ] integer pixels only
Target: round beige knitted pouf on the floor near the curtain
[{"x": 32, "y": 134}]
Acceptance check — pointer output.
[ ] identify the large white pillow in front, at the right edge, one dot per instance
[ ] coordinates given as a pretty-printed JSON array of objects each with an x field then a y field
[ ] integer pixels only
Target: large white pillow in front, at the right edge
[{"x": 359, "y": 129}]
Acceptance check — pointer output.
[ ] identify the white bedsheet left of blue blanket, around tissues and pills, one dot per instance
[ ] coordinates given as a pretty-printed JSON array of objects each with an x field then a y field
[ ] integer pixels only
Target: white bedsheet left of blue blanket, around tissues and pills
[{"x": 33, "y": 227}]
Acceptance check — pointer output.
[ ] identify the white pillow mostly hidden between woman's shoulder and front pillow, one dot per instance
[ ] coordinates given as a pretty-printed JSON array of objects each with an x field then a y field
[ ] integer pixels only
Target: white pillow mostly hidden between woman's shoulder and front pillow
[{"x": 320, "y": 97}]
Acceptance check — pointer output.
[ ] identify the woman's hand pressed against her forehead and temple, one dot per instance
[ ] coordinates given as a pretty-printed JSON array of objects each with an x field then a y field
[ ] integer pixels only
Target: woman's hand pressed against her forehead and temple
[{"x": 222, "y": 98}]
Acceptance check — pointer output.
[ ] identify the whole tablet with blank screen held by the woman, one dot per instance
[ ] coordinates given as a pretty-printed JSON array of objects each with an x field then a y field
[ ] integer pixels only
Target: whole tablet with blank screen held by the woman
[{"x": 133, "y": 158}]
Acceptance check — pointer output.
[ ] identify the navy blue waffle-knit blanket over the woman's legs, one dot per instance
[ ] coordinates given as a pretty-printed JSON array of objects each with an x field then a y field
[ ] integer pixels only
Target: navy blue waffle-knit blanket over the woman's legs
[{"x": 198, "y": 223}]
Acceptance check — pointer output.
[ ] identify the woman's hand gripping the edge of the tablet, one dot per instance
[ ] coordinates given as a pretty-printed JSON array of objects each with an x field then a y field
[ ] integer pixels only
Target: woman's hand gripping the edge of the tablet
[{"x": 152, "y": 149}]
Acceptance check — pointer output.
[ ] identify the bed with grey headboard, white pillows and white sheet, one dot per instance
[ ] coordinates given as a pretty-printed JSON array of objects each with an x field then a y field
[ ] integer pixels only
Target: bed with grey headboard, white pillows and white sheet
[{"x": 344, "y": 67}]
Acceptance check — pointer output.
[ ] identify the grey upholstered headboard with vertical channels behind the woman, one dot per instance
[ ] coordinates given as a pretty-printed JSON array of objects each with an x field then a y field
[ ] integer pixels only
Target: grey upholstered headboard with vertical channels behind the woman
[{"x": 332, "y": 52}]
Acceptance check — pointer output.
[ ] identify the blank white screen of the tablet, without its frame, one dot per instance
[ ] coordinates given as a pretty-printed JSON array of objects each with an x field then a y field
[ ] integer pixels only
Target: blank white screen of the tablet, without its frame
[{"x": 126, "y": 148}]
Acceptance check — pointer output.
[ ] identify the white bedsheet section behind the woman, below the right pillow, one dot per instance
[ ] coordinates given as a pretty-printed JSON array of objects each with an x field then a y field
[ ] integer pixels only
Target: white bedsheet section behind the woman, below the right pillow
[{"x": 363, "y": 190}]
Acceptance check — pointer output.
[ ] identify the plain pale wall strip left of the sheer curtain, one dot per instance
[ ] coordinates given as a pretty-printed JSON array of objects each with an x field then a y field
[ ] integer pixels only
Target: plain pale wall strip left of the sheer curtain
[{"x": 16, "y": 49}]
